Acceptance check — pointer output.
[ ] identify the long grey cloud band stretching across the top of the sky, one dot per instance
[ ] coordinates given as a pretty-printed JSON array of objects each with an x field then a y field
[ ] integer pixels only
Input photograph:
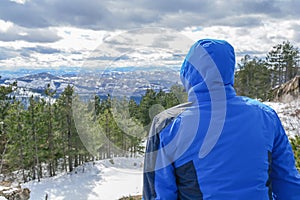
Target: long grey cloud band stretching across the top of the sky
[{"x": 107, "y": 15}]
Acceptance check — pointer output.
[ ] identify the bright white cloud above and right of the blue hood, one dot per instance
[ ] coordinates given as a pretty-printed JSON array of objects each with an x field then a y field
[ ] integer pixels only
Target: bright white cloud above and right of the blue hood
[{"x": 255, "y": 41}]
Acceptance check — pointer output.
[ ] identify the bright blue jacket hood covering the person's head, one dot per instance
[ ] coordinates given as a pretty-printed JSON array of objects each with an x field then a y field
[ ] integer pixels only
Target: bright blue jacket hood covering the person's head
[{"x": 208, "y": 66}]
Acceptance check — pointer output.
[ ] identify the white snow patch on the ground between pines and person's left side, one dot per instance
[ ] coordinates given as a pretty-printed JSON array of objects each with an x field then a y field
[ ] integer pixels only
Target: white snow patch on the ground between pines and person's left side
[{"x": 101, "y": 180}]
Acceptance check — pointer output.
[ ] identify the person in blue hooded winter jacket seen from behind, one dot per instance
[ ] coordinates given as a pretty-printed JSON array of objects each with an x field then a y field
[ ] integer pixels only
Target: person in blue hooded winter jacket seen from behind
[{"x": 219, "y": 146}]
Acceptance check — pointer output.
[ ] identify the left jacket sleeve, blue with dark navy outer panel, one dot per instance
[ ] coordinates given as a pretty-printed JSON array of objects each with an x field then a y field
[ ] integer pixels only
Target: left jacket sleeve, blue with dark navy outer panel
[{"x": 159, "y": 179}]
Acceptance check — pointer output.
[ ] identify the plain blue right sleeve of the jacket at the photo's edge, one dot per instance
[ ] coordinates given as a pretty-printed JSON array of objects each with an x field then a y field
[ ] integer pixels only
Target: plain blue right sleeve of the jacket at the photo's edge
[{"x": 284, "y": 175}]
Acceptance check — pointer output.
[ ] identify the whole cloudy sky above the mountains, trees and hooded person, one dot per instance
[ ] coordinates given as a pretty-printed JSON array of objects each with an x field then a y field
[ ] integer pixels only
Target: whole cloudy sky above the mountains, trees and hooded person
[{"x": 56, "y": 33}]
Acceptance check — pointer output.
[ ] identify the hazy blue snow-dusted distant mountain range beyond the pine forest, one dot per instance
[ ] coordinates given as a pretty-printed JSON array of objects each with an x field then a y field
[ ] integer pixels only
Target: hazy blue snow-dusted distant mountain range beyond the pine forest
[{"x": 117, "y": 82}]
